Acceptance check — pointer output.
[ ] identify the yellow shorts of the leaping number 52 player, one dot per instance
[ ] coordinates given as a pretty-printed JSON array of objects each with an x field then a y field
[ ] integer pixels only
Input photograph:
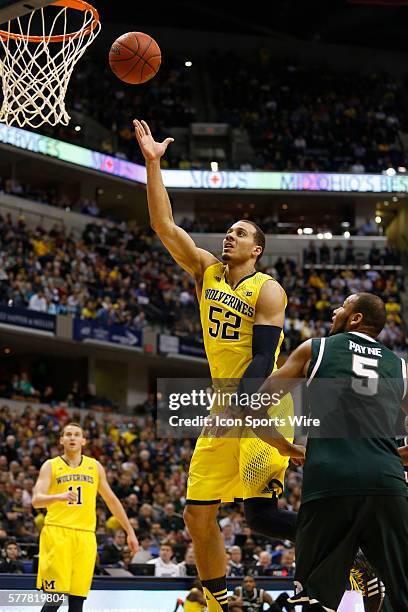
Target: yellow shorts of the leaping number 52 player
[{"x": 225, "y": 469}]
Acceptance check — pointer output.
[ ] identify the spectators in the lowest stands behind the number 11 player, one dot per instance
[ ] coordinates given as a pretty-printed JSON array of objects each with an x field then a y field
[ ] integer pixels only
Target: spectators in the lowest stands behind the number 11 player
[{"x": 147, "y": 474}]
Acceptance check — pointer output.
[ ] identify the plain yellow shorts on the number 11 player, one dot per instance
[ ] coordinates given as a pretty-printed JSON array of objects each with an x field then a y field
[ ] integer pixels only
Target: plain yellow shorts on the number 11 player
[{"x": 67, "y": 560}]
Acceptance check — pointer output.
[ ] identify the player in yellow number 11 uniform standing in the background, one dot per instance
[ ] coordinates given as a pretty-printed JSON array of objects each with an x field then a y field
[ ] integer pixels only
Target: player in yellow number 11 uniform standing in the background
[{"x": 67, "y": 487}]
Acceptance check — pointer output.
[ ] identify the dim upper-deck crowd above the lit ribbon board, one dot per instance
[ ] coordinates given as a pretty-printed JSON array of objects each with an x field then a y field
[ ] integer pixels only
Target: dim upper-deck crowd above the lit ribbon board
[{"x": 304, "y": 117}]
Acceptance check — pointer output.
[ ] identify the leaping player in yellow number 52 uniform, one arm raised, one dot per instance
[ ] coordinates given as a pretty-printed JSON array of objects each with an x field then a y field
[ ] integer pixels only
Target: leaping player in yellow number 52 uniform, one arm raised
[{"x": 242, "y": 314}]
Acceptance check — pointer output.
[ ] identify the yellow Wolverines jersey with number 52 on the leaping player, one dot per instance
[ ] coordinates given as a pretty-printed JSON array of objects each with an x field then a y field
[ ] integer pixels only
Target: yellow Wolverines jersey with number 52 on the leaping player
[{"x": 227, "y": 319}]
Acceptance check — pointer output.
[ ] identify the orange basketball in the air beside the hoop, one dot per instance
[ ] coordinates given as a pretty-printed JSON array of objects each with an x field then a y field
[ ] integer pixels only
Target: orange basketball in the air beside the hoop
[{"x": 135, "y": 57}]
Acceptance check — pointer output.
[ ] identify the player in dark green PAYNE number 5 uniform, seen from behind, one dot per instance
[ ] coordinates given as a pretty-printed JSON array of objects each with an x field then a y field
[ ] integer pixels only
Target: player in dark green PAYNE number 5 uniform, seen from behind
[{"x": 354, "y": 493}]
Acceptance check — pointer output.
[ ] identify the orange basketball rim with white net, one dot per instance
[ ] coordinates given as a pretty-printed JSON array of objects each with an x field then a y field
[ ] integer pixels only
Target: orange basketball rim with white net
[{"x": 40, "y": 54}]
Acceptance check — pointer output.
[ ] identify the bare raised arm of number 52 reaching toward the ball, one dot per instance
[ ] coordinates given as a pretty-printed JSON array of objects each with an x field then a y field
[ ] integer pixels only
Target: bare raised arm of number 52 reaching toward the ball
[{"x": 179, "y": 244}]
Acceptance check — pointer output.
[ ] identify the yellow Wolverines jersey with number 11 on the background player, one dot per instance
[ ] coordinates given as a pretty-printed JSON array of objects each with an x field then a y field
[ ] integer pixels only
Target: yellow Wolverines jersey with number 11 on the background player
[{"x": 84, "y": 481}]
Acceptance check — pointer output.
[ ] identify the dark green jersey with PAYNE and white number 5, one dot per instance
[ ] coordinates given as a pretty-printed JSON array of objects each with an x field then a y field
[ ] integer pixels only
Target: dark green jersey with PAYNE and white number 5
[{"x": 366, "y": 397}]
